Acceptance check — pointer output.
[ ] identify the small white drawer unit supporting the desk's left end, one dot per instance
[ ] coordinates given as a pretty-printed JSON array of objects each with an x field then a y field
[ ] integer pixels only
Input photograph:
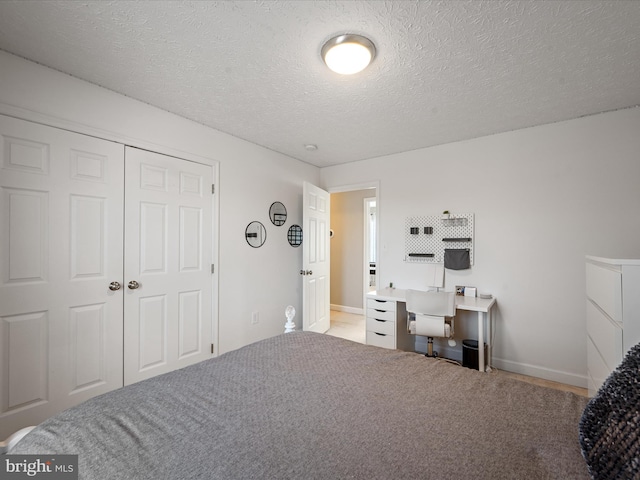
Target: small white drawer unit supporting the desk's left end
[{"x": 387, "y": 322}]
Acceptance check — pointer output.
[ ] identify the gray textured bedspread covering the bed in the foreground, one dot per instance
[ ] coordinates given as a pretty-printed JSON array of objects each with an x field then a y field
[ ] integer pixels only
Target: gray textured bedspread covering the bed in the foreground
[{"x": 311, "y": 406}]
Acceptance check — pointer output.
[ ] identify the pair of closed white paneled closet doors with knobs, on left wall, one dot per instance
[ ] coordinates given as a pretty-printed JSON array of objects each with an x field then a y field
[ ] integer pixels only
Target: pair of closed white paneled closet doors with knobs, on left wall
[{"x": 105, "y": 268}]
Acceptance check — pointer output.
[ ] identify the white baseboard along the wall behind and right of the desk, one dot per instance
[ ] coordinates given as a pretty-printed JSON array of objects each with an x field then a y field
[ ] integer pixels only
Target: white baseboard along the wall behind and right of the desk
[{"x": 508, "y": 365}]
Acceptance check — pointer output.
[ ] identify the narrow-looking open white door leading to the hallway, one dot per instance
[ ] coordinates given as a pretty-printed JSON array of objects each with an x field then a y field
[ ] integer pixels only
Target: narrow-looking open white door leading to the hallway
[{"x": 316, "y": 261}]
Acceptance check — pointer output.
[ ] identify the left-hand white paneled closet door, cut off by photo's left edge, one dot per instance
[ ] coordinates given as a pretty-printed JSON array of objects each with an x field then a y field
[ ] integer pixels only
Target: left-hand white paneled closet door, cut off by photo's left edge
[{"x": 61, "y": 217}]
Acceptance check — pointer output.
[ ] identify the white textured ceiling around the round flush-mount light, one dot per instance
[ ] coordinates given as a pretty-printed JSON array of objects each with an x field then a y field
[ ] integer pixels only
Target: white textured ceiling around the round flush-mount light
[{"x": 445, "y": 70}]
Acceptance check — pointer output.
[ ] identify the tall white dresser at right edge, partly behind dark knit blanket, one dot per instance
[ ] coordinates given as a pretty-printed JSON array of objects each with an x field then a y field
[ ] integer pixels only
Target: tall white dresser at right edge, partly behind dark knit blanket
[{"x": 613, "y": 315}]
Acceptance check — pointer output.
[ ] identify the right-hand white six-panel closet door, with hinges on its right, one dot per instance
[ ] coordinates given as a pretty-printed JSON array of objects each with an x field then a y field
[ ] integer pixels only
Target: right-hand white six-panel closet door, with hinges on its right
[{"x": 168, "y": 231}]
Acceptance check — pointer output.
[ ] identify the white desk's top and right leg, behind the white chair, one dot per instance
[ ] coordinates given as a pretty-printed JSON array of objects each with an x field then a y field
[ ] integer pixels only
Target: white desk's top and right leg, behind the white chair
[{"x": 475, "y": 304}]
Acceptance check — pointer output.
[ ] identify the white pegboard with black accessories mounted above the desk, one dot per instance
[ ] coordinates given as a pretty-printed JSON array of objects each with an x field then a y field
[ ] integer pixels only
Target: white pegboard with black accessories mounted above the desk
[{"x": 426, "y": 237}]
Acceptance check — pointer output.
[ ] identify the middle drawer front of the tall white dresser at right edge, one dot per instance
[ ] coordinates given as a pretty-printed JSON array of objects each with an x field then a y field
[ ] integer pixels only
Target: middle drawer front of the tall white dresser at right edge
[{"x": 606, "y": 336}]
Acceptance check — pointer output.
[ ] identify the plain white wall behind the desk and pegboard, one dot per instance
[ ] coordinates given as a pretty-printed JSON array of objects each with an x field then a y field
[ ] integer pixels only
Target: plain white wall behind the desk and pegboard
[{"x": 543, "y": 198}]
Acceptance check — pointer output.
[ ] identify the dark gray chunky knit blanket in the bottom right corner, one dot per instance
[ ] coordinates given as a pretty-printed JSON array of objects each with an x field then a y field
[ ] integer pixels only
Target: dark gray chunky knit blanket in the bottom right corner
[{"x": 610, "y": 423}]
